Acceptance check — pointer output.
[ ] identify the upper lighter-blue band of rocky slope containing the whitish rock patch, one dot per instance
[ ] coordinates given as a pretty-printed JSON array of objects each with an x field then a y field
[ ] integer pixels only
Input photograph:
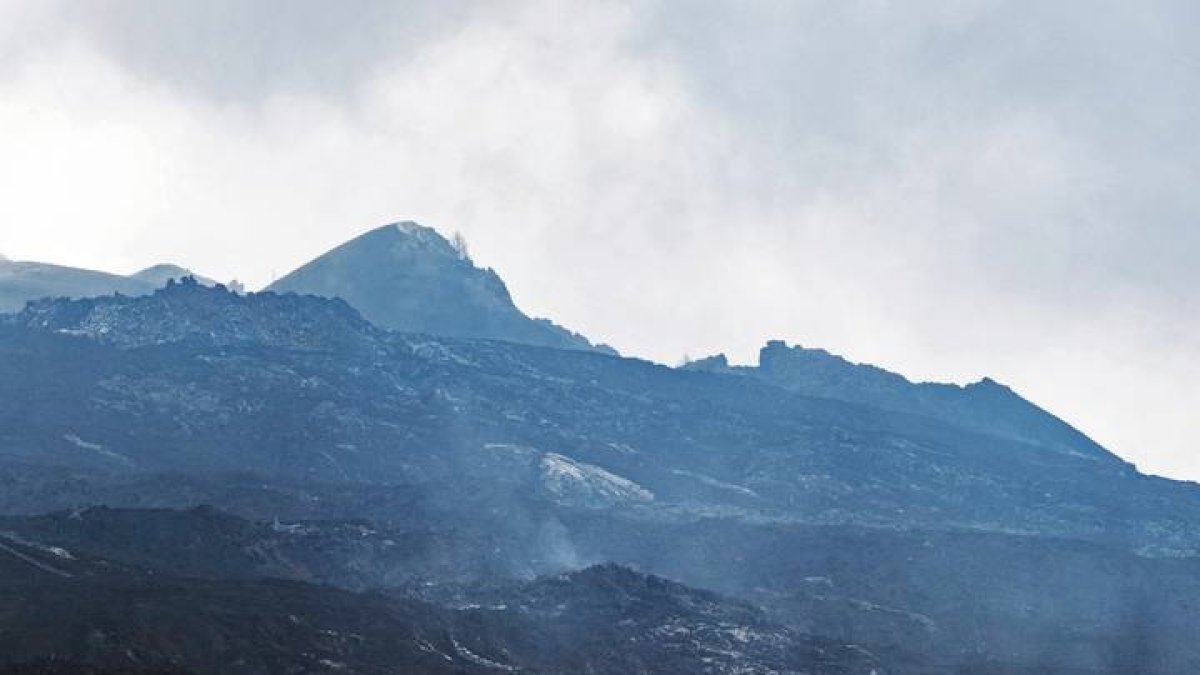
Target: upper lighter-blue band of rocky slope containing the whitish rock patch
[{"x": 303, "y": 389}]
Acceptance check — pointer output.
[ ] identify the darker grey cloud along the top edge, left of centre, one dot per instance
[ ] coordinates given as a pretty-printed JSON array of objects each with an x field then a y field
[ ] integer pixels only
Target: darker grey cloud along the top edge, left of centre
[{"x": 241, "y": 53}]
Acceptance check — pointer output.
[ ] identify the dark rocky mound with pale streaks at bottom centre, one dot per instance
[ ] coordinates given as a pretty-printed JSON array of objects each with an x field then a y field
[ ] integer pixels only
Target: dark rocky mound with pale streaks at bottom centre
[{"x": 611, "y": 619}]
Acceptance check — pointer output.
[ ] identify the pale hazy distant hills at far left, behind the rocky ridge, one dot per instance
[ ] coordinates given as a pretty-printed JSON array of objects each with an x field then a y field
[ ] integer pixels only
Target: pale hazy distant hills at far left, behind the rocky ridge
[{"x": 26, "y": 282}]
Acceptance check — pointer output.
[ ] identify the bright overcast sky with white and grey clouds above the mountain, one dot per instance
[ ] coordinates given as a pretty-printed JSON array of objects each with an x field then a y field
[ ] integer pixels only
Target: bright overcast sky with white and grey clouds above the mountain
[{"x": 950, "y": 190}]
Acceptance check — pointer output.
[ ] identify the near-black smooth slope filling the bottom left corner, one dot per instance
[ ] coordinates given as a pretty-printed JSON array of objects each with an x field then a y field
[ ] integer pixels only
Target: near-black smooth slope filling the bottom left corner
[{"x": 68, "y": 611}]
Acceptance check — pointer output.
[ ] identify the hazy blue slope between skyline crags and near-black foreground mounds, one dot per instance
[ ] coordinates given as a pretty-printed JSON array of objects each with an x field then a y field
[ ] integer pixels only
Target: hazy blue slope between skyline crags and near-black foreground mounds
[{"x": 483, "y": 461}]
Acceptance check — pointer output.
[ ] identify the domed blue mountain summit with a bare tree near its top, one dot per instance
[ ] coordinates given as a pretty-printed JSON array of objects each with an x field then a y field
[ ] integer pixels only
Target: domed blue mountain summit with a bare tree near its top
[{"x": 406, "y": 277}]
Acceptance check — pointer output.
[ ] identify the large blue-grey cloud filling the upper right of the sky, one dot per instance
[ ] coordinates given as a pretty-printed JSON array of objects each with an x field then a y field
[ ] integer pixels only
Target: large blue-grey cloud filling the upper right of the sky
[{"x": 838, "y": 98}]
